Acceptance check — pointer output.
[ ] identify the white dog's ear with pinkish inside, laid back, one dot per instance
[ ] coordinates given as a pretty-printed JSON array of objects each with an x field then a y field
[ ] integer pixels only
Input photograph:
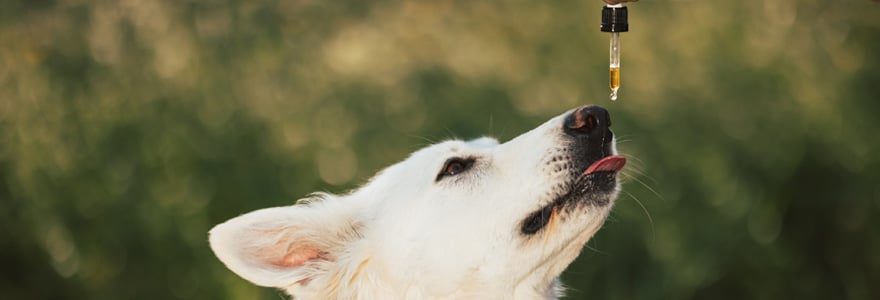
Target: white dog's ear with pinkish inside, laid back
[{"x": 283, "y": 246}]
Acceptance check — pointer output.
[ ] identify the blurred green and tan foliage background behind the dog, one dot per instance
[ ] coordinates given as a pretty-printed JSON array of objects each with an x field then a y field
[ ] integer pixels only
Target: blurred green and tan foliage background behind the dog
[{"x": 129, "y": 128}]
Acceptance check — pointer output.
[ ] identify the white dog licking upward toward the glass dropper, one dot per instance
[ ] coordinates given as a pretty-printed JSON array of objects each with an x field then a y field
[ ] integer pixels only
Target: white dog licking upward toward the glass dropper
[{"x": 455, "y": 220}]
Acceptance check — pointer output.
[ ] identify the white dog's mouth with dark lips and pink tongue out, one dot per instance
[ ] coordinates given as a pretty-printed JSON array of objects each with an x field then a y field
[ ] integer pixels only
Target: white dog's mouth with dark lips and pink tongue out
[{"x": 592, "y": 187}]
